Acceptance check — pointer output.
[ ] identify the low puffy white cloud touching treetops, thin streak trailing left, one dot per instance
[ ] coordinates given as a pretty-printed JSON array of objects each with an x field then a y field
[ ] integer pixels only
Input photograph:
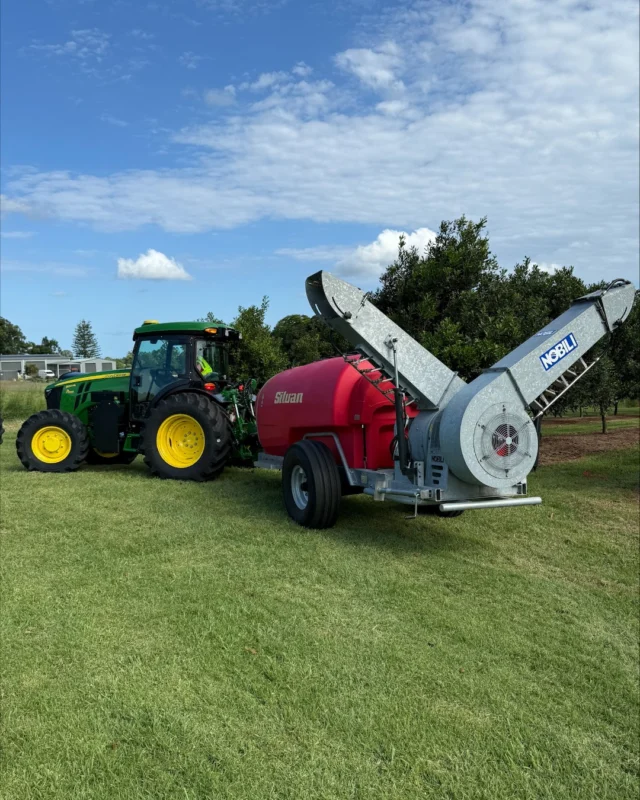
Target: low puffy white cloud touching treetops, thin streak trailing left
[{"x": 366, "y": 261}]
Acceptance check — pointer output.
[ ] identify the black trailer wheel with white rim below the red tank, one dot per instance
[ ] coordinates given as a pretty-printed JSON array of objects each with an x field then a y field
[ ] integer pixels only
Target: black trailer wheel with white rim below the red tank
[{"x": 311, "y": 485}]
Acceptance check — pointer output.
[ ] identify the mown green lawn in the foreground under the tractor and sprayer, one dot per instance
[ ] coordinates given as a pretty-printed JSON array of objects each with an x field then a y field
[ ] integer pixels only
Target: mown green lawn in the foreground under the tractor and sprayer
[{"x": 174, "y": 640}]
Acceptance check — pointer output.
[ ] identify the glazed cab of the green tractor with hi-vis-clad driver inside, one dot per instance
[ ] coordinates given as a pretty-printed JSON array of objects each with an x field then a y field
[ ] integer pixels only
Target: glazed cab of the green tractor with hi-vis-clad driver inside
[{"x": 178, "y": 356}]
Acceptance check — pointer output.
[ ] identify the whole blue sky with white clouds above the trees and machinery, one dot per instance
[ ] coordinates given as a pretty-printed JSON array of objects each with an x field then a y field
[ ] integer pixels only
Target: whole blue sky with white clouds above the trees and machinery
[{"x": 165, "y": 159}]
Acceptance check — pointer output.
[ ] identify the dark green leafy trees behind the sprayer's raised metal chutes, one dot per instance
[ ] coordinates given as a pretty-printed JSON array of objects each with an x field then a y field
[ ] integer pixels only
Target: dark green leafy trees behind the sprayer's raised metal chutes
[{"x": 457, "y": 301}]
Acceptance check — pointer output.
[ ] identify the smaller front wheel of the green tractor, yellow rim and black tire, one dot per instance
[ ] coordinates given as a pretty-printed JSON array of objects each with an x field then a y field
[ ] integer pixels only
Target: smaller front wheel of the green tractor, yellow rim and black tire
[{"x": 52, "y": 441}]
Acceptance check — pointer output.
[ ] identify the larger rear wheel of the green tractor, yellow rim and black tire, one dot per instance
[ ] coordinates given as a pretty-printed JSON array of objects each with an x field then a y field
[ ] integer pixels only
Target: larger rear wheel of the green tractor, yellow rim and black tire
[{"x": 187, "y": 437}]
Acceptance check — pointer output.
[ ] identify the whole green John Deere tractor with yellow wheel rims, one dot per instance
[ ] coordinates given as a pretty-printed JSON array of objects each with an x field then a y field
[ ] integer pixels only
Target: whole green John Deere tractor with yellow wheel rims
[{"x": 175, "y": 406}]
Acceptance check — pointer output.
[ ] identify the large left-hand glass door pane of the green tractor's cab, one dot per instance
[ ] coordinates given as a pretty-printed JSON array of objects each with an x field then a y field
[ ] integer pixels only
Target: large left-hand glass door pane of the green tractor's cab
[{"x": 157, "y": 363}]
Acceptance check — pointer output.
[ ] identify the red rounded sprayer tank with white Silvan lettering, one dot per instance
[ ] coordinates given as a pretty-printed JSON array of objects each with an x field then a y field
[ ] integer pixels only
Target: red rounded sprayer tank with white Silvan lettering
[{"x": 328, "y": 397}]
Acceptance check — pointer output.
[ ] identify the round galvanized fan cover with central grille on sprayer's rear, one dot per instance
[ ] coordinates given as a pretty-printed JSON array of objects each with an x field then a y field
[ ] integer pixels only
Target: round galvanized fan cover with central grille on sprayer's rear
[{"x": 505, "y": 442}]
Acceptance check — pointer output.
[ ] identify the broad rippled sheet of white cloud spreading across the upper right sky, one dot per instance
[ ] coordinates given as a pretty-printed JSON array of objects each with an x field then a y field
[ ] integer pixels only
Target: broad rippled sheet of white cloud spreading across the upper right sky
[{"x": 538, "y": 130}]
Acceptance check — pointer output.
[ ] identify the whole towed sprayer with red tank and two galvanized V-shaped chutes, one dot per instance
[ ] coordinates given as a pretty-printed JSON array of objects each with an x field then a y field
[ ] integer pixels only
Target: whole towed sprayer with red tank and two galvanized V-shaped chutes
[{"x": 394, "y": 422}]
